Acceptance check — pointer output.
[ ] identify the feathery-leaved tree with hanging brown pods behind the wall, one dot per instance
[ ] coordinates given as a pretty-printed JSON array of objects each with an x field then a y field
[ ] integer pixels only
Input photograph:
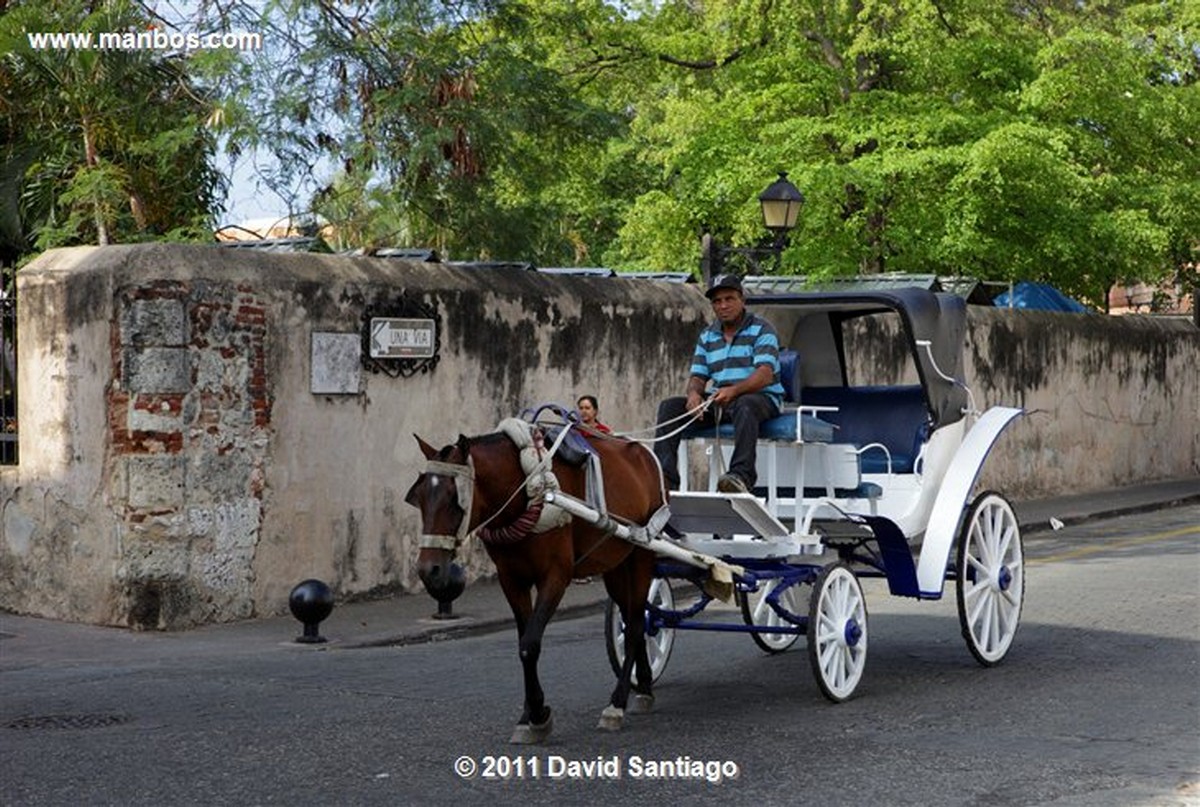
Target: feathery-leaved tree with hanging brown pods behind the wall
[{"x": 448, "y": 122}]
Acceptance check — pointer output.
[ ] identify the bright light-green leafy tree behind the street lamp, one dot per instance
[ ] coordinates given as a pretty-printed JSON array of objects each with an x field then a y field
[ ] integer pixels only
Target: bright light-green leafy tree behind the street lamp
[{"x": 1046, "y": 140}]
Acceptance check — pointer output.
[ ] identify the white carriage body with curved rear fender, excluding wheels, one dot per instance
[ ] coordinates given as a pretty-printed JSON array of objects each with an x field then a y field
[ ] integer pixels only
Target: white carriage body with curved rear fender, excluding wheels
[{"x": 805, "y": 482}]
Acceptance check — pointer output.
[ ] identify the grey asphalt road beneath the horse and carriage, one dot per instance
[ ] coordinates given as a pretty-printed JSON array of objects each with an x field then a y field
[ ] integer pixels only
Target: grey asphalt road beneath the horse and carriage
[{"x": 1097, "y": 704}]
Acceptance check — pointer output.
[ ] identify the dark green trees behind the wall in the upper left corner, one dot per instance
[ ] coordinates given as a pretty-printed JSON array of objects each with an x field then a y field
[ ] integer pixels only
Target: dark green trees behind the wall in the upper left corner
[{"x": 99, "y": 146}]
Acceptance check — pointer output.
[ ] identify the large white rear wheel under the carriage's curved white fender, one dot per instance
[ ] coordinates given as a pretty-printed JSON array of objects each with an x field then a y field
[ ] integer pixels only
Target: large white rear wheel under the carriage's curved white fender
[{"x": 992, "y": 578}]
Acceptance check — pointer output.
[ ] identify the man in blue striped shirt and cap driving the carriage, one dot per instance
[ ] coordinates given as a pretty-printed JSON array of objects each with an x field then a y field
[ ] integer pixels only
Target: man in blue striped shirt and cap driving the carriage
[{"x": 740, "y": 354}]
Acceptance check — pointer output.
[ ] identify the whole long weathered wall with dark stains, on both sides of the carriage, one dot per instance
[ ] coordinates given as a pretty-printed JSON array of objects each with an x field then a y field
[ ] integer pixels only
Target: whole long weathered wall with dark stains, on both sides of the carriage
[{"x": 178, "y": 469}]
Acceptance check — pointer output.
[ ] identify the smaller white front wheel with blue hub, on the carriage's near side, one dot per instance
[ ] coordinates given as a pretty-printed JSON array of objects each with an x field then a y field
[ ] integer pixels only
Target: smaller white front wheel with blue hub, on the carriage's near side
[{"x": 838, "y": 632}]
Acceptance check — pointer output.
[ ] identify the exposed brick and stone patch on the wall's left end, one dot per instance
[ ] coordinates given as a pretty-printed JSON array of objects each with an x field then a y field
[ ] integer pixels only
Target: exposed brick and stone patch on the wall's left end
[{"x": 208, "y": 517}]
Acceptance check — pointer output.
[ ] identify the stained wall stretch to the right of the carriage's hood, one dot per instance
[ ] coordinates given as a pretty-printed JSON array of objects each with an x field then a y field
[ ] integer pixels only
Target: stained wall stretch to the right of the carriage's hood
[{"x": 1109, "y": 400}]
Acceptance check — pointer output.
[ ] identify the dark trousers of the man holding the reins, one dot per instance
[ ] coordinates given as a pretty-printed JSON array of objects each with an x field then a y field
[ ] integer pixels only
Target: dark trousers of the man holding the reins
[{"x": 747, "y": 413}]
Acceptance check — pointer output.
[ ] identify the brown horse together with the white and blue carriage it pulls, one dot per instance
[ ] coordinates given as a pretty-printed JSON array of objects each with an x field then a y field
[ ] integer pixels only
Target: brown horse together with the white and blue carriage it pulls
[{"x": 867, "y": 474}]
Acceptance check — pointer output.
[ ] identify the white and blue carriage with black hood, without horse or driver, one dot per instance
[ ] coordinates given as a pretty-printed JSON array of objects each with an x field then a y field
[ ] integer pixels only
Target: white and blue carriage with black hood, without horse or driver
[{"x": 856, "y": 479}]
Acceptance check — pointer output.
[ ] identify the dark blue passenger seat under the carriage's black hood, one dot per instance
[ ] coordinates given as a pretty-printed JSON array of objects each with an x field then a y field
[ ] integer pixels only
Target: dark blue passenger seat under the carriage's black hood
[{"x": 893, "y": 416}]
